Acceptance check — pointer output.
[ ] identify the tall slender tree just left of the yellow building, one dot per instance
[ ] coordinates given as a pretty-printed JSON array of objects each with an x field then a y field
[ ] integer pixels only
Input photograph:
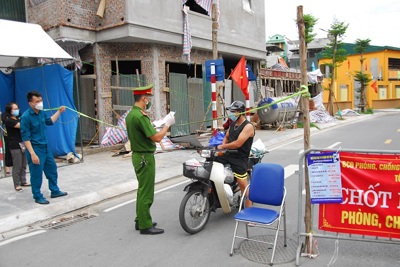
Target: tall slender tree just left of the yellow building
[{"x": 335, "y": 52}]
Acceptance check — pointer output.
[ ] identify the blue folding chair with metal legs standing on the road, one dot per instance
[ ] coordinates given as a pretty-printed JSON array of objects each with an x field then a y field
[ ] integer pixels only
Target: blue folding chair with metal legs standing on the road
[{"x": 267, "y": 192}]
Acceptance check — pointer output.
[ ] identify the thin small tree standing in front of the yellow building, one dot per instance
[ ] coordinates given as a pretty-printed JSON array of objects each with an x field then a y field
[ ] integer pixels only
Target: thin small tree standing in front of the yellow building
[{"x": 363, "y": 79}]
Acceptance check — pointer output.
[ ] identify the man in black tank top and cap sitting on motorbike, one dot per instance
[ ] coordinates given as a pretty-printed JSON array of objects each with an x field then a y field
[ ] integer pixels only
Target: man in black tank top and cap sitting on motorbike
[{"x": 238, "y": 137}]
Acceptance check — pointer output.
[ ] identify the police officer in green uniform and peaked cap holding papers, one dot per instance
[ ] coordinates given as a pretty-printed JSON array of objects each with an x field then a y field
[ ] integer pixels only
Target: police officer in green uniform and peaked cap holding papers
[{"x": 142, "y": 136}]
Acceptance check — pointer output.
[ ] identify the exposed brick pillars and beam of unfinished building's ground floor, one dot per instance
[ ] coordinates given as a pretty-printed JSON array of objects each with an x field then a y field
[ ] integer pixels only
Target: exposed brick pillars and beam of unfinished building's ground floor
[{"x": 153, "y": 58}]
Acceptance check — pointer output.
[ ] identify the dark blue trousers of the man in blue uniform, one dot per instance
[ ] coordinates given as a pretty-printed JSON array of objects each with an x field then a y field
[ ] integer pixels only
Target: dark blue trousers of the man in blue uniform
[{"x": 48, "y": 166}]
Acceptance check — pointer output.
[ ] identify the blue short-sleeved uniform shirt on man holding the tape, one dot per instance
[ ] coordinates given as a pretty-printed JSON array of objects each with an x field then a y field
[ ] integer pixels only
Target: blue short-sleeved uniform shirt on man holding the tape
[{"x": 33, "y": 127}]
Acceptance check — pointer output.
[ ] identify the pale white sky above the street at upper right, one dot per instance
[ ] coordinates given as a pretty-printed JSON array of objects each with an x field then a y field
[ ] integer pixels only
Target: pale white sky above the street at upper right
[{"x": 378, "y": 20}]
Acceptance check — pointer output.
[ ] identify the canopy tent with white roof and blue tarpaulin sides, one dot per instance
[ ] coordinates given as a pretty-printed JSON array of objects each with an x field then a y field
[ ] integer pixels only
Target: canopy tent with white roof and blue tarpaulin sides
[{"x": 53, "y": 81}]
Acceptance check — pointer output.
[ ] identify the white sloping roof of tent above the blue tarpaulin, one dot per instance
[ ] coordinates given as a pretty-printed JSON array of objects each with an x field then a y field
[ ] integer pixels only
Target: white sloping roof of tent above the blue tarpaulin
[{"x": 20, "y": 39}]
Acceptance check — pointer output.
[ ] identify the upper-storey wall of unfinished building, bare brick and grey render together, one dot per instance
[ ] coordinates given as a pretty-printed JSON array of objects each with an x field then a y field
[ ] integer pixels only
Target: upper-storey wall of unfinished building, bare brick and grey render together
[{"x": 240, "y": 32}]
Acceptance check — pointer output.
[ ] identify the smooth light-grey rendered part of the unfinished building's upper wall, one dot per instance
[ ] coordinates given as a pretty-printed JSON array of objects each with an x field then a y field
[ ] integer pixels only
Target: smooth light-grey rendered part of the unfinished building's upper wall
[{"x": 239, "y": 32}]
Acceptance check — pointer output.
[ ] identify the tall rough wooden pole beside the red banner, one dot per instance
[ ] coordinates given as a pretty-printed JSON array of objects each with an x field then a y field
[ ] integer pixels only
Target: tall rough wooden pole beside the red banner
[{"x": 305, "y": 106}]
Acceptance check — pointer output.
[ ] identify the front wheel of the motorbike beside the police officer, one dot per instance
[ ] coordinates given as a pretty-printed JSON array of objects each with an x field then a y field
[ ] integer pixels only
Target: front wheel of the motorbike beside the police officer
[{"x": 191, "y": 216}]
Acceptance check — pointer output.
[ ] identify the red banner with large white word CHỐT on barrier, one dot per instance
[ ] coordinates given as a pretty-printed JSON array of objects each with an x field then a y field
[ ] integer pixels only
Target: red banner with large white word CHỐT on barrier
[{"x": 371, "y": 197}]
